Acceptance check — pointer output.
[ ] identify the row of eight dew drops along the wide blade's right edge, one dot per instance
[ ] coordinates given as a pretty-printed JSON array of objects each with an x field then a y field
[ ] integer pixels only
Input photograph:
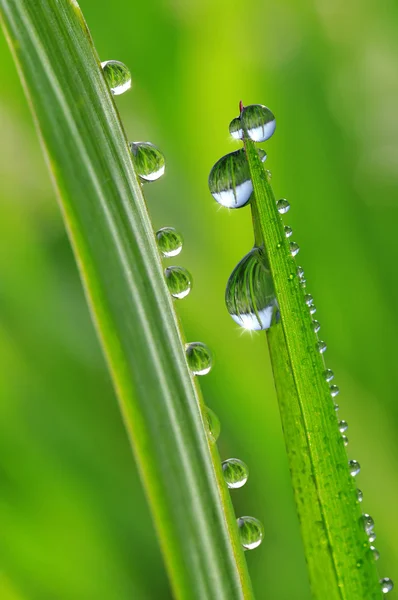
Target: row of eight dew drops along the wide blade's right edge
[{"x": 149, "y": 163}]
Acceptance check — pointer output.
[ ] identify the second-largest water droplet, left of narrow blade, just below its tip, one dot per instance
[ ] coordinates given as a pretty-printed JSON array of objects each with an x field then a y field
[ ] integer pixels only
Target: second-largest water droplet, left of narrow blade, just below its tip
[{"x": 229, "y": 180}]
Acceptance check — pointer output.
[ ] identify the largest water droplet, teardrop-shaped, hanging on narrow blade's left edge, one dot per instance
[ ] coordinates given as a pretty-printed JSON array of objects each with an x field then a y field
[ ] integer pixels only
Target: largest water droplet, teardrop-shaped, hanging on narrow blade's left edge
[{"x": 250, "y": 294}]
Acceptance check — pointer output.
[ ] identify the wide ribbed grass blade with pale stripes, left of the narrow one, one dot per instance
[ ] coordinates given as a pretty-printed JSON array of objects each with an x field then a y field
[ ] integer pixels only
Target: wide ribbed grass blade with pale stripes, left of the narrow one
[{"x": 113, "y": 241}]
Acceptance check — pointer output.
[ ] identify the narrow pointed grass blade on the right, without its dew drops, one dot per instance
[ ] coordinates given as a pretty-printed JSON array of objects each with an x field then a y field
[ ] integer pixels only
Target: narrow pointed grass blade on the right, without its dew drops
[{"x": 341, "y": 565}]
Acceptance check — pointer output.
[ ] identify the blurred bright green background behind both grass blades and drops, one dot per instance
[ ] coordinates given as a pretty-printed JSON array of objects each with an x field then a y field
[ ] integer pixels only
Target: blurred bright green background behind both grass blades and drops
[{"x": 73, "y": 518}]
